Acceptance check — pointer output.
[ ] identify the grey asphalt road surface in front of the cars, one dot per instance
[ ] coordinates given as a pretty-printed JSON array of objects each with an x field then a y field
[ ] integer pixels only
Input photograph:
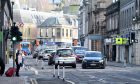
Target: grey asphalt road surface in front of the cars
[{"x": 109, "y": 75}]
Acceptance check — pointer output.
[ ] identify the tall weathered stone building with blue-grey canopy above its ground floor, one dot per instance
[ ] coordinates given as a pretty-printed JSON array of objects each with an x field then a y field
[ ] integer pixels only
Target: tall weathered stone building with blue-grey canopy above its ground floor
[{"x": 93, "y": 23}]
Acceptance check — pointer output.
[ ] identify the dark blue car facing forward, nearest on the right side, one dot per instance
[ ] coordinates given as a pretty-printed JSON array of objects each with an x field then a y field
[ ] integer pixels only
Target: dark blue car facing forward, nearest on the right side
[{"x": 93, "y": 59}]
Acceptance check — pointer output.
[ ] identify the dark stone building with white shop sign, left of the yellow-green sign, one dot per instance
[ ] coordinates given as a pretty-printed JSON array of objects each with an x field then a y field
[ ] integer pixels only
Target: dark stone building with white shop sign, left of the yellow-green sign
[{"x": 112, "y": 31}]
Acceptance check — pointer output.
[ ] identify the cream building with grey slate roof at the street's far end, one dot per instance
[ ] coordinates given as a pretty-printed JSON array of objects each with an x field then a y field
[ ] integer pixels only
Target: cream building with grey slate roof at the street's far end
[{"x": 61, "y": 30}]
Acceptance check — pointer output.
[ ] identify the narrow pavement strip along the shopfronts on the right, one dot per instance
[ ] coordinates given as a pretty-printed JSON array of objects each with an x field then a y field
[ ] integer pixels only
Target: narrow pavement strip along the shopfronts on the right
[{"x": 116, "y": 64}]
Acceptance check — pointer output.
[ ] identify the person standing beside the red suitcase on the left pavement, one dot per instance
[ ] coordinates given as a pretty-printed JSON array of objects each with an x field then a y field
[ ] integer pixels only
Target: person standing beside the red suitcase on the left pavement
[{"x": 19, "y": 61}]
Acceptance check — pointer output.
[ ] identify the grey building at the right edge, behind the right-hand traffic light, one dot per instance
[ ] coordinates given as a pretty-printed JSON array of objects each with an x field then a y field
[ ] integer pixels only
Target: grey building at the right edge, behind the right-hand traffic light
[{"x": 129, "y": 28}]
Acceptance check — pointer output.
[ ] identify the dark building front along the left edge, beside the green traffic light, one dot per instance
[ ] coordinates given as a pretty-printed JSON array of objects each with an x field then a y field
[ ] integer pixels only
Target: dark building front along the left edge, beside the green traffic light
[{"x": 5, "y": 18}]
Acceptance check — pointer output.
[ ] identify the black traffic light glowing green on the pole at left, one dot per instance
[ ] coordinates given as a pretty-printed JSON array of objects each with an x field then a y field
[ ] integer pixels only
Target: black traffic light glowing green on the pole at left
[{"x": 16, "y": 35}]
